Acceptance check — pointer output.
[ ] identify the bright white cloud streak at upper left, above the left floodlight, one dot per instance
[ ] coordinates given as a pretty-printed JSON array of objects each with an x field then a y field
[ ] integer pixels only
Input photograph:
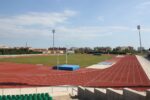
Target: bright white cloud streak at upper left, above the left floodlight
[{"x": 46, "y": 19}]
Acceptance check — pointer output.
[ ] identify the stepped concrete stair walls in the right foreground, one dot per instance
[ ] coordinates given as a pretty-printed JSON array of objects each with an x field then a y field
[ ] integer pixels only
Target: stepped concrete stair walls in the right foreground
[{"x": 86, "y": 93}]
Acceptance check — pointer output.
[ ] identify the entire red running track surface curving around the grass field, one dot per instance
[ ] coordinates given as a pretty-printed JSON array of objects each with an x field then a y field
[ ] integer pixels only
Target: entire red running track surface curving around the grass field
[{"x": 127, "y": 72}]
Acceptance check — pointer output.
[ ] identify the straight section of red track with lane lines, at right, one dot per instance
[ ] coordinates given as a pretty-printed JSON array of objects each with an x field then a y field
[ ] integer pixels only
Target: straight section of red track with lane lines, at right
[{"x": 127, "y": 72}]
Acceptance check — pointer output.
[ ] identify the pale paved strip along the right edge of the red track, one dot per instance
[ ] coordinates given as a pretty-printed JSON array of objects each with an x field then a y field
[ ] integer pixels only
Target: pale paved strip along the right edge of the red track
[{"x": 145, "y": 65}]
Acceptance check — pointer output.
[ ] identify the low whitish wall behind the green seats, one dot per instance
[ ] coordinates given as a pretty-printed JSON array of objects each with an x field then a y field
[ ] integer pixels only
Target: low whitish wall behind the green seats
[{"x": 31, "y": 90}]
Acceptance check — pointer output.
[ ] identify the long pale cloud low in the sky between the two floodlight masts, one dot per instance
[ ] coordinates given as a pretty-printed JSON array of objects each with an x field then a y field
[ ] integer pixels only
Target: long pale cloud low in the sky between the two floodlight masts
[{"x": 89, "y": 32}]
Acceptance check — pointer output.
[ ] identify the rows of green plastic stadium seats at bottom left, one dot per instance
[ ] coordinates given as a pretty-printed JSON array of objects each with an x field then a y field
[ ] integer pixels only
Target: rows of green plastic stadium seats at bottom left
[{"x": 39, "y": 96}]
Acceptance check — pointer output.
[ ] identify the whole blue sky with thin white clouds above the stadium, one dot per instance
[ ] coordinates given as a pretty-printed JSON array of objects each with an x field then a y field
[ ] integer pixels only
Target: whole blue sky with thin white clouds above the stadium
[{"x": 78, "y": 23}]
